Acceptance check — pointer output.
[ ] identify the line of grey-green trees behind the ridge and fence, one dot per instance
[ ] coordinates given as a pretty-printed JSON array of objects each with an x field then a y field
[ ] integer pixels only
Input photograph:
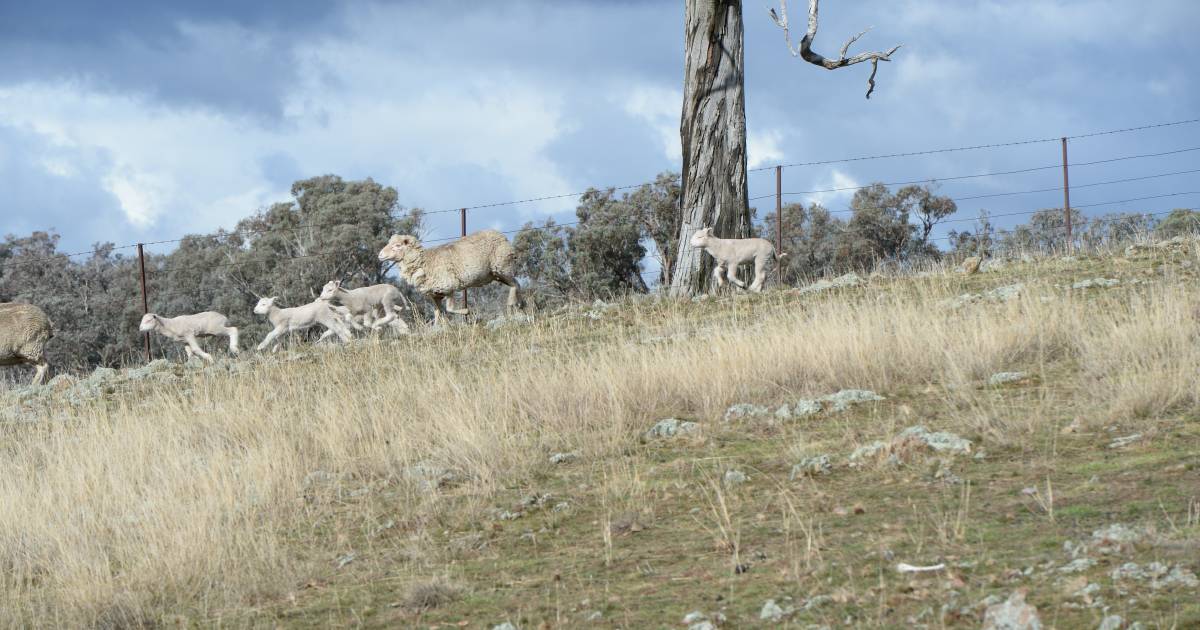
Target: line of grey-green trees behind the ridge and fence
[{"x": 333, "y": 229}]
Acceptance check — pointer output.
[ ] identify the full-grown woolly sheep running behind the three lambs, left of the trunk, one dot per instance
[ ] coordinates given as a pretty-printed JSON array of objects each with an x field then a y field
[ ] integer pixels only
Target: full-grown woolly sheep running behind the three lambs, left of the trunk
[{"x": 473, "y": 261}]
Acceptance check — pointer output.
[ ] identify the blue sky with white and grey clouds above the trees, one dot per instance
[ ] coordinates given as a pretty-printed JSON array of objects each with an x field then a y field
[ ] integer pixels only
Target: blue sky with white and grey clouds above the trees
[{"x": 146, "y": 121}]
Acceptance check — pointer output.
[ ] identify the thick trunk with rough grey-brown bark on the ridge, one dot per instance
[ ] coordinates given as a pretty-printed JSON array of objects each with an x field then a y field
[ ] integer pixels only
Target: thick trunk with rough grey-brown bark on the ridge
[{"x": 713, "y": 134}]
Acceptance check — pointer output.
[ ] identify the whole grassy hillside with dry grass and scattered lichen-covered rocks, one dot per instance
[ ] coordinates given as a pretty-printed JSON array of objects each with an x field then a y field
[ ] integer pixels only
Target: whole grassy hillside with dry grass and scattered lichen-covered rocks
[{"x": 490, "y": 475}]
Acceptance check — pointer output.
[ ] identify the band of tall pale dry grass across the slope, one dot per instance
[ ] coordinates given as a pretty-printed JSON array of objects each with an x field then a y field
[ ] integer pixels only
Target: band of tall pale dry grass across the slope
[{"x": 189, "y": 500}]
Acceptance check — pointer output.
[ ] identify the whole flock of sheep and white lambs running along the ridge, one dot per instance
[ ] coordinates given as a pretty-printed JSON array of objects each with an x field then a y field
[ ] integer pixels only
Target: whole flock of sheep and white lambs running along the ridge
[{"x": 437, "y": 273}]
